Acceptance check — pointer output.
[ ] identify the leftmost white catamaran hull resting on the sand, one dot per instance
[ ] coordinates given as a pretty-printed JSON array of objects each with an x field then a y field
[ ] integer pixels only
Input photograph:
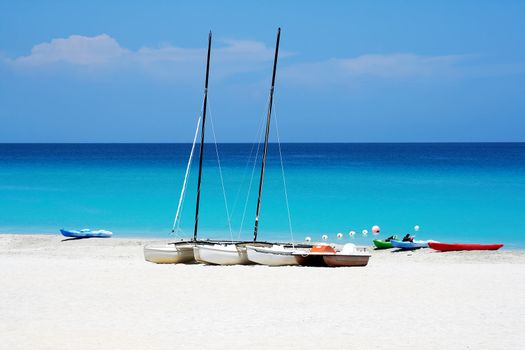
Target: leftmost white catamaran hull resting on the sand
[{"x": 169, "y": 253}]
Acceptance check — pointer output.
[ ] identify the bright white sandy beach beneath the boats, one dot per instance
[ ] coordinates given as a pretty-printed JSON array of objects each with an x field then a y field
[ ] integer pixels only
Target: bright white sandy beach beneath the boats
[{"x": 101, "y": 294}]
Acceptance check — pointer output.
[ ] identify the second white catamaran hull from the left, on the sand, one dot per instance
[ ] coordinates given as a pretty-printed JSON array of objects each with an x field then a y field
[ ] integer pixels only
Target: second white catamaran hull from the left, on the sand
[{"x": 220, "y": 254}]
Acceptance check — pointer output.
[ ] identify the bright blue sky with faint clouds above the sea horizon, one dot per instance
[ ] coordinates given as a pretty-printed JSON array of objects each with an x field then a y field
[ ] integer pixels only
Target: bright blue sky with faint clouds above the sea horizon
[{"x": 350, "y": 71}]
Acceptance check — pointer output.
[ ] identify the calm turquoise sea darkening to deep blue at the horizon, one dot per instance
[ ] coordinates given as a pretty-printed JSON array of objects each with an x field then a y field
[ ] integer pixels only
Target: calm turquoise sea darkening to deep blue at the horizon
[{"x": 455, "y": 192}]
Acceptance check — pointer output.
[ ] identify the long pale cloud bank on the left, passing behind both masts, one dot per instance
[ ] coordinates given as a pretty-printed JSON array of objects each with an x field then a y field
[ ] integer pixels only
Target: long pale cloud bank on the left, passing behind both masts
[{"x": 229, "y": 57}]
